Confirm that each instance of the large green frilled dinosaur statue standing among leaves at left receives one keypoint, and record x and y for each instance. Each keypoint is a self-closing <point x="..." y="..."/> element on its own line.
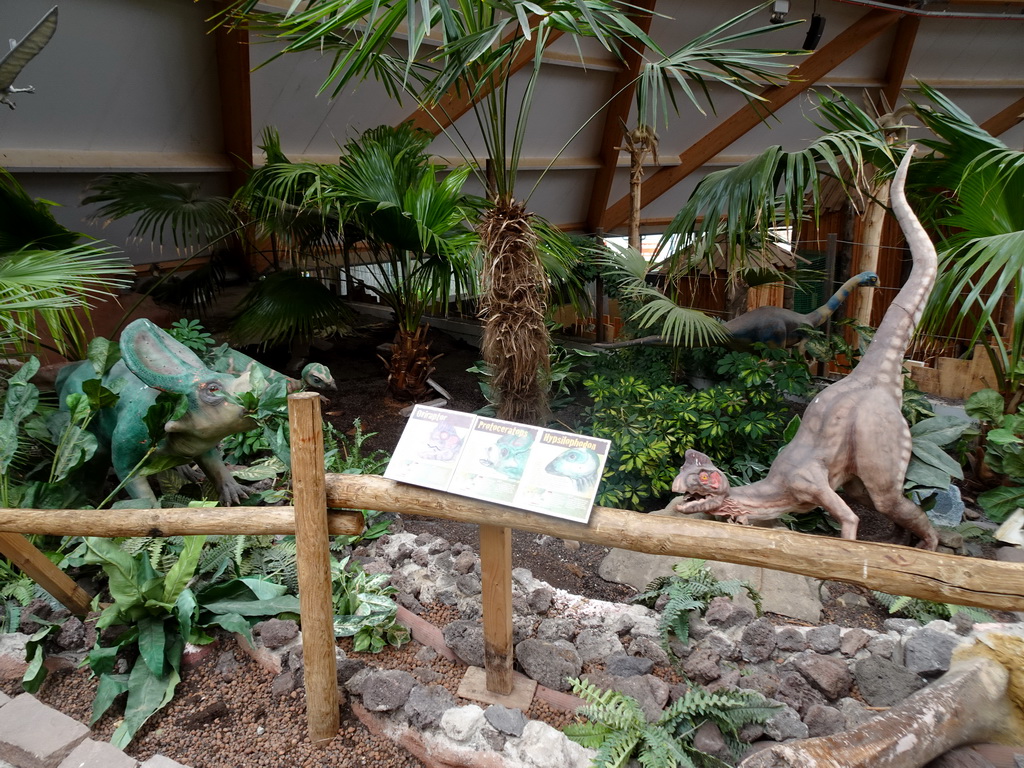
<point x="153" y="362"/>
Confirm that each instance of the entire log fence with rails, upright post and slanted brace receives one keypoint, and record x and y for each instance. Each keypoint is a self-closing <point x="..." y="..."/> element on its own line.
<point x="320" y="511"/>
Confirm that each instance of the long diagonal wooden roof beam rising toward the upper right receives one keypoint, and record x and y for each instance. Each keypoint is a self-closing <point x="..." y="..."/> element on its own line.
<point x="828" y="58"/>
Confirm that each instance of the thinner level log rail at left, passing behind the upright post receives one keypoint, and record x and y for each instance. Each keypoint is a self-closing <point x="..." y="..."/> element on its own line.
<point x="178" y="522"/>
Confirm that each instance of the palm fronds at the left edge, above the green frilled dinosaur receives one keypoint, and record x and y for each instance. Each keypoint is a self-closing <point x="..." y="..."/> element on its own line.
<point x="48" y="278"/>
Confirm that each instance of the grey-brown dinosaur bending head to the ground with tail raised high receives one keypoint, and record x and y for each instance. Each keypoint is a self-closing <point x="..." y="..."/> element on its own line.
<point x="854" y="435"/>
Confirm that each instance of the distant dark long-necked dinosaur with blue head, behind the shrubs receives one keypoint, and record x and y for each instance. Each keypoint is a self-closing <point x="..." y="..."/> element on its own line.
<point x="774" y="326"/>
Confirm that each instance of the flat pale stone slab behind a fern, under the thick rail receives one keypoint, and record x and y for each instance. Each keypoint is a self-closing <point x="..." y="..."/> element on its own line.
<point x="782" y="593"/>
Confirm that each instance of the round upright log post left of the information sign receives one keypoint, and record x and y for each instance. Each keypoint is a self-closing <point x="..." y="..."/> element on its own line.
<point x="312" y="542"/>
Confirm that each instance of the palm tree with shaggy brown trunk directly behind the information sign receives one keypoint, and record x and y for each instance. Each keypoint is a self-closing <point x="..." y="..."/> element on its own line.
<point x="479" y="44"/>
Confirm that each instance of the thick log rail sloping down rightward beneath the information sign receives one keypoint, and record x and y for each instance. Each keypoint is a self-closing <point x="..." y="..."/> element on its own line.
<point x="899" y="571"/>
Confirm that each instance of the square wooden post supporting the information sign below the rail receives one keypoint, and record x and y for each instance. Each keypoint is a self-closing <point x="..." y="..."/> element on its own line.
<point x="496" y="579"/>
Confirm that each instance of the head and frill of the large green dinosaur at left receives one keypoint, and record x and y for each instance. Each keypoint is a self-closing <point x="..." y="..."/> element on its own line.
<point x="165" y="364"/>
